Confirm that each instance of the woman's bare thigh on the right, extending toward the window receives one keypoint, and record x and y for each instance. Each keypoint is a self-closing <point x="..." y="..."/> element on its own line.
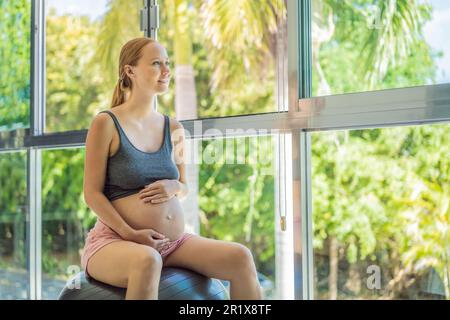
<point x="213" y="258"/>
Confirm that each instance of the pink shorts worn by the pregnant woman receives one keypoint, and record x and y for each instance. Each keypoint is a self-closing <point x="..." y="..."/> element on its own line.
<point x="101" y="235"/>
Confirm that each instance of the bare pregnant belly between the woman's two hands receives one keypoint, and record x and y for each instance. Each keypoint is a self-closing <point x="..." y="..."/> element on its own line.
<point x="166" y="217"/>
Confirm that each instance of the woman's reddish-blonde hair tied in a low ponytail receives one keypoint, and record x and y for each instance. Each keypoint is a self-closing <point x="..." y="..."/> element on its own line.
<point x="130" y="54"/>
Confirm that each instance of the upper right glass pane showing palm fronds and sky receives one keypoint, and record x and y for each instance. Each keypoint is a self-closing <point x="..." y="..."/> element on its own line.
<point x="364" y="45"/>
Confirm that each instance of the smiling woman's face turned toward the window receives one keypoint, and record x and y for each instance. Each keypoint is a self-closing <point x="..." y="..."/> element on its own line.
<point x="152" y="72"/>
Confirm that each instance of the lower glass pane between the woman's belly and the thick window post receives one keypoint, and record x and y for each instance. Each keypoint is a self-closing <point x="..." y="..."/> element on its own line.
<point x="236" y="200"/>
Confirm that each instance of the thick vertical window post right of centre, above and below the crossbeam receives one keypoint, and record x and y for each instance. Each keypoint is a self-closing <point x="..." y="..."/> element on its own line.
<point x="299" y="86"/>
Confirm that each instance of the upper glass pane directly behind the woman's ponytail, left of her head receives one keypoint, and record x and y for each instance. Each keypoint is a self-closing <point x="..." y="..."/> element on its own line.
<point x="83" y="41"/>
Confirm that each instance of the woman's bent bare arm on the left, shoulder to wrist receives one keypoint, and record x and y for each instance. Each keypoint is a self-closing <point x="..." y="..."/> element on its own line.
<point x="98" y="140"/>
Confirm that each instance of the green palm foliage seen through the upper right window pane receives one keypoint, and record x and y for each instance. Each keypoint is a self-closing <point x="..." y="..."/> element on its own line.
<point x="362" y="58"/>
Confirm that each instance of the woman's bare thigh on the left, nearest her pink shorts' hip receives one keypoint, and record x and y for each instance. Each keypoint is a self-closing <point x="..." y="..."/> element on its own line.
<point x="113" y="263"/>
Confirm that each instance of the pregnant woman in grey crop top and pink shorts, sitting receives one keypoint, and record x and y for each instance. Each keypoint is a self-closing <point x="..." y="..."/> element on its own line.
<point x="134" y="178"/>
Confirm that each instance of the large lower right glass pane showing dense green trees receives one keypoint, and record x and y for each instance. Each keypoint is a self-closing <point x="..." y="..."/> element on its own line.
<point x="381" y="213"/>
